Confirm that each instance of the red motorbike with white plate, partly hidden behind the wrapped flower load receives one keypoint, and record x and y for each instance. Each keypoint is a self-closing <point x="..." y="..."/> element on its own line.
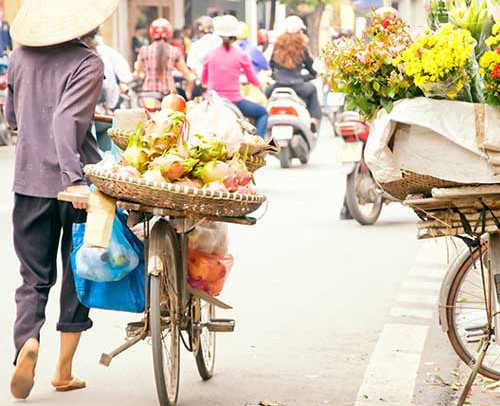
<point x="363" y="198"/>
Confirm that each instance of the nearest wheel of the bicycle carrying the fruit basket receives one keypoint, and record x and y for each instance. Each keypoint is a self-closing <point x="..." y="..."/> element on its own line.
<point x="163" y="262"/>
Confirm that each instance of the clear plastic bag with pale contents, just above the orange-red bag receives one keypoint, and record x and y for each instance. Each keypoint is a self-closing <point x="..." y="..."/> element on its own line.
<point x="210" y="238"/>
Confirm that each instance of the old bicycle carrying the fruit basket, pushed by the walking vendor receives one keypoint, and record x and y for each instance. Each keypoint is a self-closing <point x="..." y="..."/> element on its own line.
<point x="172" y="306"/>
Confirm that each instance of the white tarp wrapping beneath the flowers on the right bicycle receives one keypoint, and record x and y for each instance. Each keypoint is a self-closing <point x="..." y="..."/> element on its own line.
<point x="449" y="140"/>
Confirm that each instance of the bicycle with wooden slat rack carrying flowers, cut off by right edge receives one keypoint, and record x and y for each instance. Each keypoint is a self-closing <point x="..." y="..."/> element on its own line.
<point x="469" y="302"/>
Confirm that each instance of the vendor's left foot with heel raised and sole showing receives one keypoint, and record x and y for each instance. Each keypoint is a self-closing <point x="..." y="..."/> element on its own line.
<point x="23" y="378"/>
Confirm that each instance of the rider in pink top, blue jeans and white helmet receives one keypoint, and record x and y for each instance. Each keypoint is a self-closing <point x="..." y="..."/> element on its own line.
<point x="222" y="67"/>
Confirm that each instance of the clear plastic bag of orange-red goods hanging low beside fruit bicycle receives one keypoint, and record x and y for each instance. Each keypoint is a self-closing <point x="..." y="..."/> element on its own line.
<point x="208" y="272"/>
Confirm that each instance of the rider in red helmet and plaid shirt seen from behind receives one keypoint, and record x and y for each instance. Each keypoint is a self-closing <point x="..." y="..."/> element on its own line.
<point x="158" y="60"/>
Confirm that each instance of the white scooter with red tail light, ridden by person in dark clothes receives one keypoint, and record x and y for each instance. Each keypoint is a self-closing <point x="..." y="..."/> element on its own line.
<point x="290" y="125"/>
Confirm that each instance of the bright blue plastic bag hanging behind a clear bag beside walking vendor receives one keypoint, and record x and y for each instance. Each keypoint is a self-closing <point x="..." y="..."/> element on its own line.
<point x="126" y="294"/>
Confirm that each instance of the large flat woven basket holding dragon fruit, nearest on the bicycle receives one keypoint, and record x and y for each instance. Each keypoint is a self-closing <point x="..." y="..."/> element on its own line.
<point x="181" y="198"/>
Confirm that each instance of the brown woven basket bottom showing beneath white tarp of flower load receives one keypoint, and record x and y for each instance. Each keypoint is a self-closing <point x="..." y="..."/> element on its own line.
<point x="413" y="183"/>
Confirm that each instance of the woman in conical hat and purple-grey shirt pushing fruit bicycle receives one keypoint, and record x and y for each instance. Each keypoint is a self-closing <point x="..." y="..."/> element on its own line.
<point x="54" y="83"/>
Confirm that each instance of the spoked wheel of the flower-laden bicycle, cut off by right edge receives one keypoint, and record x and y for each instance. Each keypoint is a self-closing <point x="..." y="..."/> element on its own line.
<point x="467" y="315"/>
